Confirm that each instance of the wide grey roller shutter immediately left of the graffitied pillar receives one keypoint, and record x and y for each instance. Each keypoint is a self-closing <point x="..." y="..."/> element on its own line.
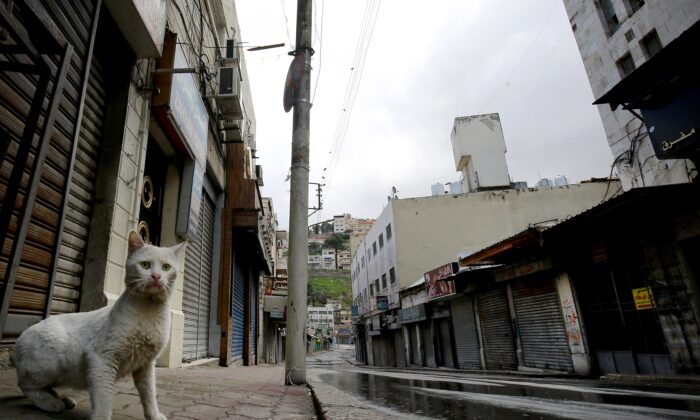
<point x="541" y="326"/>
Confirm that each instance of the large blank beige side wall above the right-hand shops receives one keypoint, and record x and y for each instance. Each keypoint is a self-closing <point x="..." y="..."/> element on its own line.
<point x="432" y="231"/>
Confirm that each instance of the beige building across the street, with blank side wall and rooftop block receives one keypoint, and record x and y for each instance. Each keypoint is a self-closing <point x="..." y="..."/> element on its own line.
<point x="414" y="235"/>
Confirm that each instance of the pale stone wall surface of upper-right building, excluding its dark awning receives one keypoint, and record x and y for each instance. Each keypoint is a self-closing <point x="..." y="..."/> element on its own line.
<point x="600" y="52"/>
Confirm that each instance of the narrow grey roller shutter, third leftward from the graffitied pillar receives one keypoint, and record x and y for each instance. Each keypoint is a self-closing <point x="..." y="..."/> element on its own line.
<point x="466" y="335"/>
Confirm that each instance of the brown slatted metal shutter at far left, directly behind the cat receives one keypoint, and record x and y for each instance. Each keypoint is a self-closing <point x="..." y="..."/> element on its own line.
<point x="49" y="278"/>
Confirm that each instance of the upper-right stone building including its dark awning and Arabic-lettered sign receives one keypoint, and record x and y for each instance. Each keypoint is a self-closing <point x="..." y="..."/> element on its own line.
<point x="618" y="41"/>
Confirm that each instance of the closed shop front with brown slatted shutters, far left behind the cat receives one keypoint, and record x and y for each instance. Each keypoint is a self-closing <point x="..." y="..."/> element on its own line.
<point x="51" y="181"/>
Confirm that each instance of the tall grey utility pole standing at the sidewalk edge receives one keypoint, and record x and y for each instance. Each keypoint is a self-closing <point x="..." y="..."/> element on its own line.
<point x="299" y="83"/>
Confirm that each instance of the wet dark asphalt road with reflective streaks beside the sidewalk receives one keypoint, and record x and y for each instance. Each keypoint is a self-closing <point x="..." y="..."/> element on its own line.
<point x="460" y="395"/>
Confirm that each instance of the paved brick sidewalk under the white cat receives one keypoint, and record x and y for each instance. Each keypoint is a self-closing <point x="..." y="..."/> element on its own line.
<point x="201" y="392"/>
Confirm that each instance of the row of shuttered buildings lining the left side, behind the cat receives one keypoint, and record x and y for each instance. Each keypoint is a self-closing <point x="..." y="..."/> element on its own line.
<point x="147" y="138"/>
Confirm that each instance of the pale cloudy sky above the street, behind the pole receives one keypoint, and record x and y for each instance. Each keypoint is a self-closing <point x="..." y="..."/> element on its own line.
<point x="426" y="63"/>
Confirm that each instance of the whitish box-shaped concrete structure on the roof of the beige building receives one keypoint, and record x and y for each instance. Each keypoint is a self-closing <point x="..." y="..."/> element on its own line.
<point x="479" y="151"/>
